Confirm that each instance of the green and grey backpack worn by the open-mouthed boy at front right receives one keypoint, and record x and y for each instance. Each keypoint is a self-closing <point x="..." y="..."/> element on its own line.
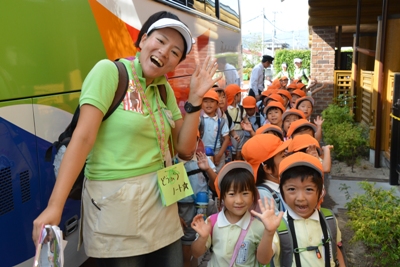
<point x="328" y="224"/>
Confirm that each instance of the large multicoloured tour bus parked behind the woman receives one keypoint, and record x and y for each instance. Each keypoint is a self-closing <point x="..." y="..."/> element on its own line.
<point x="46" y="50"/>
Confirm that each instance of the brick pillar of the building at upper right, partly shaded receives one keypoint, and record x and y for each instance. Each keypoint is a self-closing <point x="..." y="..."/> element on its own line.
<point x="323" y="64"/>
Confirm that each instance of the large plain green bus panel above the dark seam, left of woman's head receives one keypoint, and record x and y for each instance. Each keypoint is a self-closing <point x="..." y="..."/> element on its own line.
<point x="46" y="46"/>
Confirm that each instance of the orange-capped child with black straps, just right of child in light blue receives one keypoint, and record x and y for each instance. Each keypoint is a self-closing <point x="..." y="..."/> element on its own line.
<point x="235" y="114"/>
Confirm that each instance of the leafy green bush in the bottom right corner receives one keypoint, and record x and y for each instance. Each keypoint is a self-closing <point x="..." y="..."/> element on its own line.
<point x="374" y="218"/>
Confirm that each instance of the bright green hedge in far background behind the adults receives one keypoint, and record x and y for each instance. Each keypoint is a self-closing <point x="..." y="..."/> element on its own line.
<point x="288" y="56"/>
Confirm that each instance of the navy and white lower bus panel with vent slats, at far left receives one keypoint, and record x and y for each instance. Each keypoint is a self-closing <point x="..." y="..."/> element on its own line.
<point x="19" y="184"/>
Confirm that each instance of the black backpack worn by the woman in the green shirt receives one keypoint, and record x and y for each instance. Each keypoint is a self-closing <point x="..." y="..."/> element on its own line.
<point x="61" y="144"/>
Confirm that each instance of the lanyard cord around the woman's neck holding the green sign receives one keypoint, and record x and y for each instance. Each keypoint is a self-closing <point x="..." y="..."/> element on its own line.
<point x="160" y="132"/>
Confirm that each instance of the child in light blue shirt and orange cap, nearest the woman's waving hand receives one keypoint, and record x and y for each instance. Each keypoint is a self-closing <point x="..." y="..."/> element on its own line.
<point x="214" y="130"/>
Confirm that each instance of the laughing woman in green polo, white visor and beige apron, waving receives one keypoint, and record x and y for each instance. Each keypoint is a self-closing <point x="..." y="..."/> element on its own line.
<point x="123" y="220"/>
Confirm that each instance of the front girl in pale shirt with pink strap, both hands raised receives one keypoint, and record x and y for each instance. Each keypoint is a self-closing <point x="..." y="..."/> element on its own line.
<point x="237" y="239"/>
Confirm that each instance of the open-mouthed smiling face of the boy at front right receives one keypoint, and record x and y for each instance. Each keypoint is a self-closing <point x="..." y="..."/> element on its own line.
<point x="301" y="196"/>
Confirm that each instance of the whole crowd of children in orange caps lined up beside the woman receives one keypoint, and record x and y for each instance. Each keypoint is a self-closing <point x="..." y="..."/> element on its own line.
<point x="274" y="182"/>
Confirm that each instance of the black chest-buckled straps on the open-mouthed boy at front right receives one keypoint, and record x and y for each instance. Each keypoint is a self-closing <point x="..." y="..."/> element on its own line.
<point x="325" y="242"/>
